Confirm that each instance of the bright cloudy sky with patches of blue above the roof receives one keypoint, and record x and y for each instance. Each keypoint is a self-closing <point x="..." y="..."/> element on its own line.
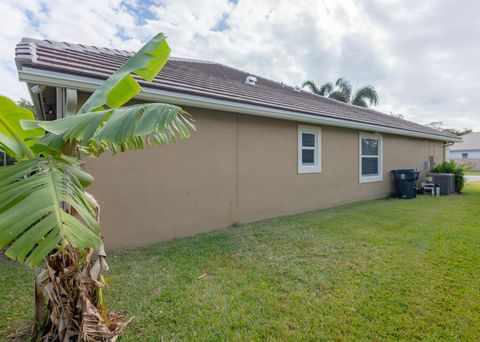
<point x="421" y="56"/>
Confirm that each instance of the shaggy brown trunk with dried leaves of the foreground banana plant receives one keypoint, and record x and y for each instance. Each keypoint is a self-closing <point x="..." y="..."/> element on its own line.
<point x="69" y="298"/>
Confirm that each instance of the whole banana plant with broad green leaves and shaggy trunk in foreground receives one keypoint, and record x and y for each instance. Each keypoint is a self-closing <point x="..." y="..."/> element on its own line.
<point x="46" y="216"/>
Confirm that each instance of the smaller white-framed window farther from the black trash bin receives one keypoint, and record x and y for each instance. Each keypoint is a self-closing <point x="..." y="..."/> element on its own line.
<point x="309" y="149"/>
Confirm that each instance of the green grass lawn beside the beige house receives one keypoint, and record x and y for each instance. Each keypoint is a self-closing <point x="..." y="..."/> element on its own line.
<point x="377" y="270"/>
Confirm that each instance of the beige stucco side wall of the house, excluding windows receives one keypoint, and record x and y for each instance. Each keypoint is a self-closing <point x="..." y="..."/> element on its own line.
<point x="235" y="168"/>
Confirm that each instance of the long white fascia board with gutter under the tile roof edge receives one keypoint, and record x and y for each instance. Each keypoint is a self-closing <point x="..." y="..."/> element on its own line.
<point x="57" y="79"/>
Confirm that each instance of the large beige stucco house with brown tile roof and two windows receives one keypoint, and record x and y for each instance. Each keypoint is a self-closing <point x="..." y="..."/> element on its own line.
<point x="261" y="149"/>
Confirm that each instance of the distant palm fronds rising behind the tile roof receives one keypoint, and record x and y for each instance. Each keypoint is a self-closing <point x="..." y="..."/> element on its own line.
<point x="343" y="92"/>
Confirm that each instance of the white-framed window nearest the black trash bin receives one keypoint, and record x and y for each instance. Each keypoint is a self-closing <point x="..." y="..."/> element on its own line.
<point x="371" y="165"/>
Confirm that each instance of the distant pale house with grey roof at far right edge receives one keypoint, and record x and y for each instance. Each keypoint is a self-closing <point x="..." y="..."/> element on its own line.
<point x="467" y="151"/>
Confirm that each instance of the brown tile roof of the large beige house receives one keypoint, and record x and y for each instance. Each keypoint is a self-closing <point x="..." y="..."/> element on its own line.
<point x="203" y="78"/>
